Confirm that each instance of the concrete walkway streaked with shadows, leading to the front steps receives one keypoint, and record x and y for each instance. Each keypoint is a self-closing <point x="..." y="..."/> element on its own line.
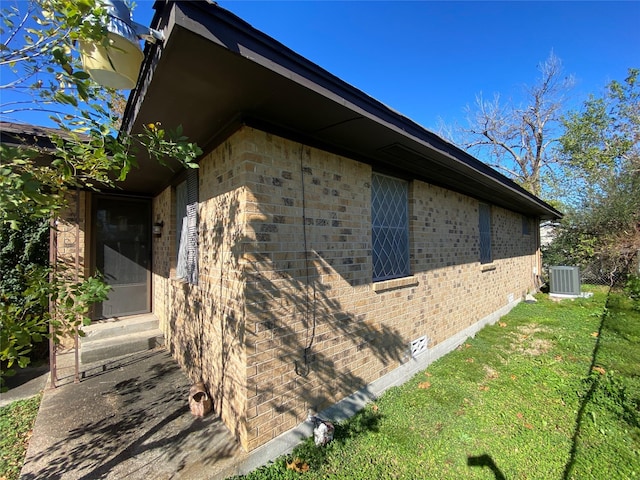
<point x="126" y="419"/>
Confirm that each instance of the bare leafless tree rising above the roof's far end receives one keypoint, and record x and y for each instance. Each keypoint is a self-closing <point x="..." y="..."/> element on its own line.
<point x="518" y="140"/>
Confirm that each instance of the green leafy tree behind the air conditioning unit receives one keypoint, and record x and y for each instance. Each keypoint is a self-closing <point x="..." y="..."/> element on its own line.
<point x="600" y="155"/>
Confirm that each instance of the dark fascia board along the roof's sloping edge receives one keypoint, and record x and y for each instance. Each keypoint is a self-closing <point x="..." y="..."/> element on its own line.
<point x="224" y="28"/>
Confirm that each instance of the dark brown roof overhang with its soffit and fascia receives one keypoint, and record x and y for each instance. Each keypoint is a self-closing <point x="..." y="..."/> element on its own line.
<point x="215" y="72"/>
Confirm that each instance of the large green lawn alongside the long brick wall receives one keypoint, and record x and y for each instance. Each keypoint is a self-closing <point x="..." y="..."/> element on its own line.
<point x="552" y="391"/>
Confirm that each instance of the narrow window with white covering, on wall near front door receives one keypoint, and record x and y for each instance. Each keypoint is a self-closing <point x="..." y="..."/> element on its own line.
<point x="187" y="228"/>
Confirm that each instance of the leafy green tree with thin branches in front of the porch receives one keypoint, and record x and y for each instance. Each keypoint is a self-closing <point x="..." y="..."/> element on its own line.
<point x="42" y="73"/>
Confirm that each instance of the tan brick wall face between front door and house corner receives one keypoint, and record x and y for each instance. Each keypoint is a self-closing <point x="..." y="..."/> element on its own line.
<point x="203" y="323"/>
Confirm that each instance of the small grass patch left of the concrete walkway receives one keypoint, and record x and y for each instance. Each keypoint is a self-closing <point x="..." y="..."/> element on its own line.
<point x="16" y="425"/>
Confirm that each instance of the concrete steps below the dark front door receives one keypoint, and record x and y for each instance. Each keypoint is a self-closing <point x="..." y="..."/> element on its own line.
<point x="112" y="338"/>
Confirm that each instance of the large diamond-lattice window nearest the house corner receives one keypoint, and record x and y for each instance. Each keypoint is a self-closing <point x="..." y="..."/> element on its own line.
<point x="390" y="227"/>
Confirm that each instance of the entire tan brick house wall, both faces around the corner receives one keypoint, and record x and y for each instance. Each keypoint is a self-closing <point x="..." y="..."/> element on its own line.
<point x="285" y="310"/>
